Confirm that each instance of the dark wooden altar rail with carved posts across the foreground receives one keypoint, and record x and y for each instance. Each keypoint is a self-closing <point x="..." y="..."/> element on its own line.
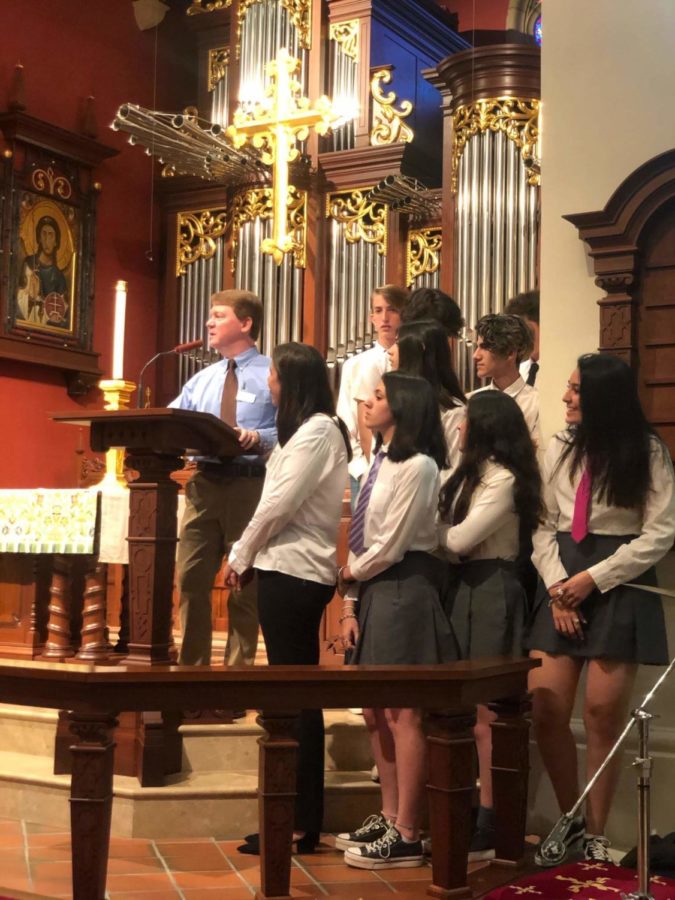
<point x="95" y="695"/>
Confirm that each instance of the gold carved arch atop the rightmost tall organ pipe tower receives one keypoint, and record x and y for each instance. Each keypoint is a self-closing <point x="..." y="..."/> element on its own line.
<point x="516" y="117"/>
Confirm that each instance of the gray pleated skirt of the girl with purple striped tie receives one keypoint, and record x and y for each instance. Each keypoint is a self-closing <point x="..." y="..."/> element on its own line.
<point x="401" y="620"/>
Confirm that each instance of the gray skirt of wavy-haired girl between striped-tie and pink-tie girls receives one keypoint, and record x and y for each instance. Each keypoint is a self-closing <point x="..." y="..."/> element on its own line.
<point x="486" y="603"/>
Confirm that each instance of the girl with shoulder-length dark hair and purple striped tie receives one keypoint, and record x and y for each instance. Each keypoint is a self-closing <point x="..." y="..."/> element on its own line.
<point x="400" y="618"/>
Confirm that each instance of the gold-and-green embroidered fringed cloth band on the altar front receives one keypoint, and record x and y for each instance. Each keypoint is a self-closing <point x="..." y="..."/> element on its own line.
<point x="48" y="521"/>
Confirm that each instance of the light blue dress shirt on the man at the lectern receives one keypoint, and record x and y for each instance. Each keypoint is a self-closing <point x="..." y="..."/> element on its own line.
<point x="255" y="412"/>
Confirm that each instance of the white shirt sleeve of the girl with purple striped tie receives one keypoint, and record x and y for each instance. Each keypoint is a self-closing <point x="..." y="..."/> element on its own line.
<point x="413" y="501"/>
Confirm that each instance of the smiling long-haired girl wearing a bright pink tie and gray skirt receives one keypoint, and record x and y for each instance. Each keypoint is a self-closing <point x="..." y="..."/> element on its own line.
<point x="608" y="488"/>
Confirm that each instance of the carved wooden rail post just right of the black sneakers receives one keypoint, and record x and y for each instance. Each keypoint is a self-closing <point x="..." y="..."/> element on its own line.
<point x="450" y="744"/>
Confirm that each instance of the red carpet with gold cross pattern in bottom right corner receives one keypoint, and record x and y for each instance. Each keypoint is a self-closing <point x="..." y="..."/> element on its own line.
<point x="583" y="881"/>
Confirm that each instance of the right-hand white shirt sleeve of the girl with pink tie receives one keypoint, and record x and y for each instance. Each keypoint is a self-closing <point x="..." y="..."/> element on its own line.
<point x="656" y="536"/>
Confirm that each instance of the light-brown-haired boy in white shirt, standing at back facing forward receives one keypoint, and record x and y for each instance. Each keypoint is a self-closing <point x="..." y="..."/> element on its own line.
<point x="361" y="374"/>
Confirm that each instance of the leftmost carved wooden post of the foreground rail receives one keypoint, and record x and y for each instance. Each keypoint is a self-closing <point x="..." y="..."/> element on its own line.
<point x="91" y="802"/>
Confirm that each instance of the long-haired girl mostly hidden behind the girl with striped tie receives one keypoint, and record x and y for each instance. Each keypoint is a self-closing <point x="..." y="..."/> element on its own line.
<point x="422" y="349"/>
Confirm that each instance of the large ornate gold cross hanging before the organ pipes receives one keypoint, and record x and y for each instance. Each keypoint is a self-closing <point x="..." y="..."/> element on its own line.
<point x="273" y="127"/>
